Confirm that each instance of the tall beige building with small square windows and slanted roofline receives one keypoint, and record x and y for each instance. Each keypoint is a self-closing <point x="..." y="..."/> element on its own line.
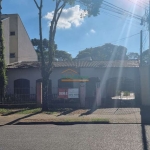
<point x="18" y="46"/>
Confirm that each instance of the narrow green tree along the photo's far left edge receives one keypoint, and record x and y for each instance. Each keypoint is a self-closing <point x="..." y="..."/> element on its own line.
<point x="3" y="78"/>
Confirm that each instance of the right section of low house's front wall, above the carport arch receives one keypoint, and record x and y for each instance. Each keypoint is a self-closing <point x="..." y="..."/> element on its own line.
<point x="106" y="73"/>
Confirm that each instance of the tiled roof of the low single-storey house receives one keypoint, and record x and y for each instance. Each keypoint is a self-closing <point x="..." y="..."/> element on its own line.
<point x="78" y="64"/>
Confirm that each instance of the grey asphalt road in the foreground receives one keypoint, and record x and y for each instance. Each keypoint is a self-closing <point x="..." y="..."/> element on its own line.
<point x="75" y="137"/>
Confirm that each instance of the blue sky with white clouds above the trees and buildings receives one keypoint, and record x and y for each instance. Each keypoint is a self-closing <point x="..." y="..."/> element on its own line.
<point x="74" y="33"/>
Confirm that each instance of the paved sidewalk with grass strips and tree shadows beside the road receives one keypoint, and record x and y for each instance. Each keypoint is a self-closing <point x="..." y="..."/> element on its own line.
<point x="109" y="115"/>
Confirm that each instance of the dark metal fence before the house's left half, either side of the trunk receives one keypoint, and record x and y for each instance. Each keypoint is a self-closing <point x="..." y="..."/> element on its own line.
<point x="22" y="96"/>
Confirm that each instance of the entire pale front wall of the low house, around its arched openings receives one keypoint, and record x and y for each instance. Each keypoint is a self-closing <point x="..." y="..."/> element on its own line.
<point x="34" y="74"/>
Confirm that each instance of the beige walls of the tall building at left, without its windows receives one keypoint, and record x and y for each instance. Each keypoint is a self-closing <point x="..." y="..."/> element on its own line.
<point x="19" y="43"/>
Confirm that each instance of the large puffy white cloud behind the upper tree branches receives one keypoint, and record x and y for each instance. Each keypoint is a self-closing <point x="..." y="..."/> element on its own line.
<point x="73" y="16"/>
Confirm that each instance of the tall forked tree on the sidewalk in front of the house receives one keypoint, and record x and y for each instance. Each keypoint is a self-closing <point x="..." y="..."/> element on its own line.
<point x="91" y="6"/>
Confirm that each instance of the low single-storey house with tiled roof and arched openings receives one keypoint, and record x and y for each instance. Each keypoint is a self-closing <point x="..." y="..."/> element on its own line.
<point x="109" y="76"/>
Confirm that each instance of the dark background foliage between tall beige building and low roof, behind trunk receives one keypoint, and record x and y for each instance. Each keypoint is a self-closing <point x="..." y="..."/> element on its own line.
<point x="58" y="53"/>
